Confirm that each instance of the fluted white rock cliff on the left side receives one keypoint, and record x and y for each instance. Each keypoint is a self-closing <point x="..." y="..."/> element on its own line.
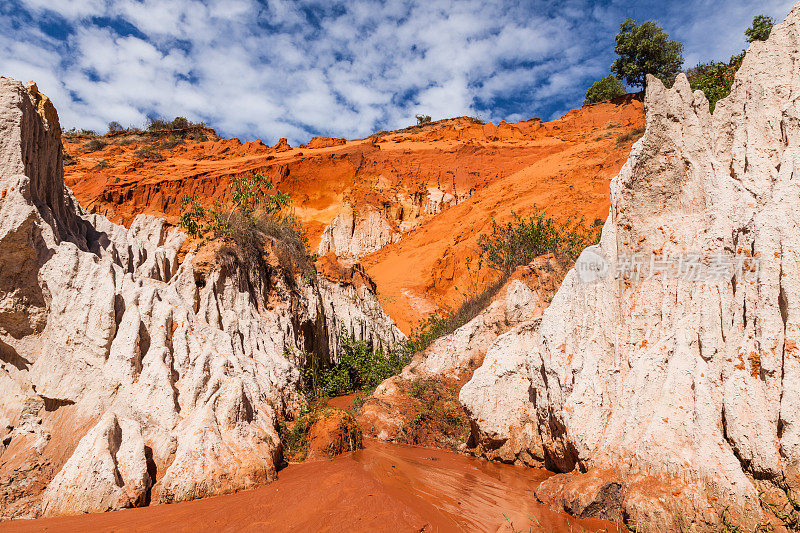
<point x="127" y="376"/>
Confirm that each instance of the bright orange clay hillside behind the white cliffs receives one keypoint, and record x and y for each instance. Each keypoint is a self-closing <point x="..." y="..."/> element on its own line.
<point x="420" y="196"/>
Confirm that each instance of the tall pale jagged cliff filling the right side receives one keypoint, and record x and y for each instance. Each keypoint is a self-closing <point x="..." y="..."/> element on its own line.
<point x="683" y="393"/>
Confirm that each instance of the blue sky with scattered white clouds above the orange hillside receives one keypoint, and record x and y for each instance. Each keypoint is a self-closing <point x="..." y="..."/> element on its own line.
<point x="276" y="68"/>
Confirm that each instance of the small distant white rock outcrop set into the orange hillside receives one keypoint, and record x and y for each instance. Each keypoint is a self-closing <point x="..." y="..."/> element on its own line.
<point x="356" y="234"/>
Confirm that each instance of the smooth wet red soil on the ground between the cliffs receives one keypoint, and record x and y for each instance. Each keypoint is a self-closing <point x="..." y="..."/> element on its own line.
<point x="383" y="487"/>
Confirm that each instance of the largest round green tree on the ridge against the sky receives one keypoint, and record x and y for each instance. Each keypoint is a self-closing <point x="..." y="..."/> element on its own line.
<point x="645" y="49"/>
